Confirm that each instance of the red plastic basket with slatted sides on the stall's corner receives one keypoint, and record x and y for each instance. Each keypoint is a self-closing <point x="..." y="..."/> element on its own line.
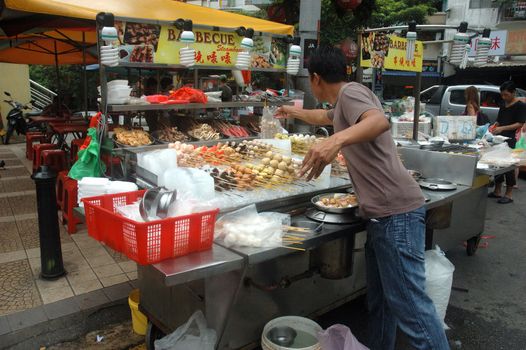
<point x="147" y="242"/>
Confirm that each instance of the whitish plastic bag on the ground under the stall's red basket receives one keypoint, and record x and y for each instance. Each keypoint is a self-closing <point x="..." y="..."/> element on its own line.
<point x="193" y="335"/>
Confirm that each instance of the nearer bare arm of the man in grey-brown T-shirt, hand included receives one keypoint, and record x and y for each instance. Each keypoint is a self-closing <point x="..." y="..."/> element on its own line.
<point x="371" y="124"/>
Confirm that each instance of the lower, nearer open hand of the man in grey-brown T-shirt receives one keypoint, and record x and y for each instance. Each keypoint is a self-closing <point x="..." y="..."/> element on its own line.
<point x="319" y="156"/>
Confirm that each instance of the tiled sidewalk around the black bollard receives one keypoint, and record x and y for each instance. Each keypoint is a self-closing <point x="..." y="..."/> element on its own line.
<point x="96" y="275"/>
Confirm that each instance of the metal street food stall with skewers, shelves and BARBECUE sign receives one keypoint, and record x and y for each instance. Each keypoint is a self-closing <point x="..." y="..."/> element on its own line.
<point x="281" y="246"/>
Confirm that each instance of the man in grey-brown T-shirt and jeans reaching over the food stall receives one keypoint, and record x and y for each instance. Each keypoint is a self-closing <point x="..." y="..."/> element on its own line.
<point x="388" y="196"/>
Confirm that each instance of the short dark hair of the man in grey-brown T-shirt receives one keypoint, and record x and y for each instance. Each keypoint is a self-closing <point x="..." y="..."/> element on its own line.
<point x="329" y="63"/>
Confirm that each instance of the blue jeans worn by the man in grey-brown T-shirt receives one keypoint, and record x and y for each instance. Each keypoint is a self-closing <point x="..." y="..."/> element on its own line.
<point x="396" y="284"/>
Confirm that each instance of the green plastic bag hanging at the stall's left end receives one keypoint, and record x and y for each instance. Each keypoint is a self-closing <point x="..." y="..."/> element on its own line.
<point x="88" y="163"/>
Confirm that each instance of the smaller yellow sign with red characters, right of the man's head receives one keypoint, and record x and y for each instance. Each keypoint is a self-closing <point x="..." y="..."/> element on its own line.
<point x="389" y="51"/>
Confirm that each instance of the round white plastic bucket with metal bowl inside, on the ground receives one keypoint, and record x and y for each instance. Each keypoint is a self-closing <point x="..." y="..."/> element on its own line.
<point x="301" y="325"/>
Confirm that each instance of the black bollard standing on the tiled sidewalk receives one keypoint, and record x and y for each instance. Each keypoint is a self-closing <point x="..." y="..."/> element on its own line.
<point x="50" y="248"/>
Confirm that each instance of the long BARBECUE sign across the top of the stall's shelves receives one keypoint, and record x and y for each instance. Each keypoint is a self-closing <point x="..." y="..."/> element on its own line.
<point x="160" y="44"/>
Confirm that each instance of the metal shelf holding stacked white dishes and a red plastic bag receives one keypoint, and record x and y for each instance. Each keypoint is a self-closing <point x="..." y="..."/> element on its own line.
<point x="186" y="106"/>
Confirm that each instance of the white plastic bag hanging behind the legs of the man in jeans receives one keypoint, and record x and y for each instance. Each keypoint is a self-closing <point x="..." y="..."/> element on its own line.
<point x="439" y="280"/>
